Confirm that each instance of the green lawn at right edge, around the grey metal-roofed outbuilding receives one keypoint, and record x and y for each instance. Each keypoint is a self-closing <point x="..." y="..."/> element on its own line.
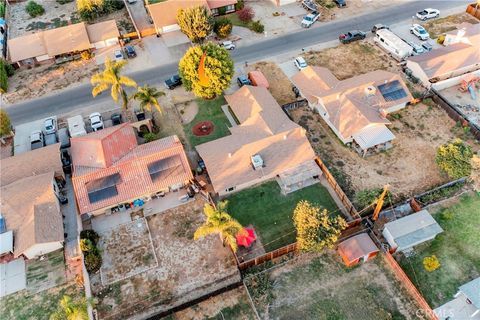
<point x="457" y="250"/>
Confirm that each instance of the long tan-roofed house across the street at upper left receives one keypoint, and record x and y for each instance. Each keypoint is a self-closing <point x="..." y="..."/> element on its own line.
<point x="46" y="46"/>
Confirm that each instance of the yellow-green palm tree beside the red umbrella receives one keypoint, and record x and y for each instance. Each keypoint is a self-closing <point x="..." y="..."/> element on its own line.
<point x="219" y="221"/>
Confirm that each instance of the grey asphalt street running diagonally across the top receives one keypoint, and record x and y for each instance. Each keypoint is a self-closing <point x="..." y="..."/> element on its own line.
<point x="80" y="96"/>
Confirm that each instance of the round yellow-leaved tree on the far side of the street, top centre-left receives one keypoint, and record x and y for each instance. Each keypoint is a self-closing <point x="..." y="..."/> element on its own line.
<point x="196" y="23"/>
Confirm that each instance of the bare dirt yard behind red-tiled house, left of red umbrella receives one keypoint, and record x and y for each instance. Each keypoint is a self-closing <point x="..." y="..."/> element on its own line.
<point x="186" y="270"/>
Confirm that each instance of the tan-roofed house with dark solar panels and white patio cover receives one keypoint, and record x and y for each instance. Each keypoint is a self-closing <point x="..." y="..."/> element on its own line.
<point x="355" y="108"/>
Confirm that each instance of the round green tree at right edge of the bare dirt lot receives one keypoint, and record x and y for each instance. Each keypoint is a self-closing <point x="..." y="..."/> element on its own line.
<point x="454" y="159"/>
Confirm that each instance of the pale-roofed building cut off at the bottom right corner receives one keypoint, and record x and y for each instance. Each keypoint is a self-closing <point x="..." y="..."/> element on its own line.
<point x="466" y="304"/>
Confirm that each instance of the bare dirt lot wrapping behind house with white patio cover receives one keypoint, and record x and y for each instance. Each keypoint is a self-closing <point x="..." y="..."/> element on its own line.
<point x="409" y="167"/>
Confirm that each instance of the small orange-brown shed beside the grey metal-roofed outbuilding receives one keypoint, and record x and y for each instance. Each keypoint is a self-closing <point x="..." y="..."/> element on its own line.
<point x="356" y="249"/>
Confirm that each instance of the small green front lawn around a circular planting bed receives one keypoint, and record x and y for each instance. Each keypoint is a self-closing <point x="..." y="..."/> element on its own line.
<point x="208" y="110"/>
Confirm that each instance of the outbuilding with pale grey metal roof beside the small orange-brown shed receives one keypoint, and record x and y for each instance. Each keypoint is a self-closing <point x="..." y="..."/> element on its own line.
<point x="405" y="233"/>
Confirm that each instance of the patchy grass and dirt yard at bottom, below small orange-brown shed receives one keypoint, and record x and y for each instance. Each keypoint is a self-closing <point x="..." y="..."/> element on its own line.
<point x="319" y="286"/>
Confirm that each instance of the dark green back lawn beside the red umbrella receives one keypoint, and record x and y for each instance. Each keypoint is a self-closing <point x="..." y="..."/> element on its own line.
<point x="271" y="213"/>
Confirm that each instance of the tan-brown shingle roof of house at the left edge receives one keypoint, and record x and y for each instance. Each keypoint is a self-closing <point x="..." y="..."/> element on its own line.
<point x="31" y="210"/>
